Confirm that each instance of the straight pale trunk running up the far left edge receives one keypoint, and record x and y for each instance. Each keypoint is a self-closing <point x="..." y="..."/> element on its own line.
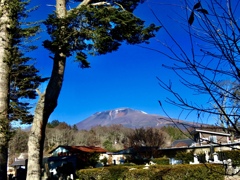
<point x="4" y="89"/>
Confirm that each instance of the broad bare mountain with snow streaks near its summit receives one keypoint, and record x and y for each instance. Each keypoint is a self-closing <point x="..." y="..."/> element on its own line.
<point x="128" y="118"/>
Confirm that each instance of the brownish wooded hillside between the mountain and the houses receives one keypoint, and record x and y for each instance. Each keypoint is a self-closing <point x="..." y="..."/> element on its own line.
<point x="112" y="138"/>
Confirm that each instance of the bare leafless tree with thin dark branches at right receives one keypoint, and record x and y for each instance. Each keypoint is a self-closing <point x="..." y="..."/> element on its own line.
<point x="206" y="63"/>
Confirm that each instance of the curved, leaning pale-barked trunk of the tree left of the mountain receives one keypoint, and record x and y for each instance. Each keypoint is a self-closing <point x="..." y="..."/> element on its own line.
<point x="45" y="106"/>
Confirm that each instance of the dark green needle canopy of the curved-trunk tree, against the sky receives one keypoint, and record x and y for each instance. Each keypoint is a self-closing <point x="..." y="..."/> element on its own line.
<point x="96" y="30"/>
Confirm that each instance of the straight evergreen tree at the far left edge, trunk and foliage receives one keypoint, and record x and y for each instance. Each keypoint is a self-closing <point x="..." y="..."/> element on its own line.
<point x="19" y="79"/>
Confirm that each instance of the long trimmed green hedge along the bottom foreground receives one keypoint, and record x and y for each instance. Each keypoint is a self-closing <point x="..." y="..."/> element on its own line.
<point x="155" y="172"/>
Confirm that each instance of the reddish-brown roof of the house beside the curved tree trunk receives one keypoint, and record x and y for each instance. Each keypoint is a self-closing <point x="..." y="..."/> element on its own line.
<point x="78" y="149"/>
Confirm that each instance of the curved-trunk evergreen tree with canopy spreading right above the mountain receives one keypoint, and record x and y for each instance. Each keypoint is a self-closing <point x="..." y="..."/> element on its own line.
<point x="93" y="26"/>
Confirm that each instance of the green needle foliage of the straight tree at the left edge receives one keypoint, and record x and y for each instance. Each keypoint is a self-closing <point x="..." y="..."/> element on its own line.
<point x="23" y="76"/>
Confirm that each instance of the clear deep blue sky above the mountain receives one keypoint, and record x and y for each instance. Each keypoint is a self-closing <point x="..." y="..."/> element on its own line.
<point x="126" y="78"/>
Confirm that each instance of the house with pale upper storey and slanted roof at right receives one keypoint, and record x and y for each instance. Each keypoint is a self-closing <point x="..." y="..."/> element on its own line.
<point x="204" y="140"/>
